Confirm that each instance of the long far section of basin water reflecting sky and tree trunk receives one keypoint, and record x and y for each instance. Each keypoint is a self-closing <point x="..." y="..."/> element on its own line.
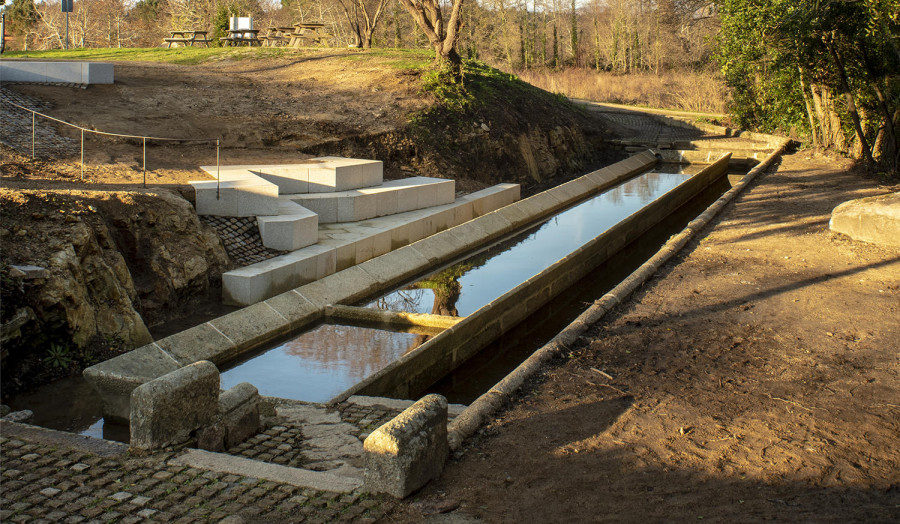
<point x="464" y="288"/>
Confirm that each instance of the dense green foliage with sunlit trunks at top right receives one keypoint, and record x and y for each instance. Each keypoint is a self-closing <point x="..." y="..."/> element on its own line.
<point x="826" y="69"/>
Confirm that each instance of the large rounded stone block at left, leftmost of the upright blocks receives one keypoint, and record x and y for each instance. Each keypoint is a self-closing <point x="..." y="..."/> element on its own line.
<point x="167" y="410"/>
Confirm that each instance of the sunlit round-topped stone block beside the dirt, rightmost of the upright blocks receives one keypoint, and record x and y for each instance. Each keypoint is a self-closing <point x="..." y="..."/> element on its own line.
<point x="410" y="450"/>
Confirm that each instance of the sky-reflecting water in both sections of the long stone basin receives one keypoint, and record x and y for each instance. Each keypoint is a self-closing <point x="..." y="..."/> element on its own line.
<point x="326" y="360"/>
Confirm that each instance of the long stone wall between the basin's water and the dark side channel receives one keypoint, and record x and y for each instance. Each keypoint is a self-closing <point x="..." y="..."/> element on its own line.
<point x="423" y="366"/>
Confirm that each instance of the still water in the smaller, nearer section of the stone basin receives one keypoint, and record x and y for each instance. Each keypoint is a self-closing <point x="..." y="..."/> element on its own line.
<point x="319" y="364"/>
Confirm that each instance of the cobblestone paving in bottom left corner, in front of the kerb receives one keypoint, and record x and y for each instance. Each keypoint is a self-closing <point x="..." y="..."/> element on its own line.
<point x="44" y="482"/>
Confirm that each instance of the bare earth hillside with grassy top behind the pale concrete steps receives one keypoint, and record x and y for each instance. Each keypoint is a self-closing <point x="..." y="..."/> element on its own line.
<point x="274" y="107"/>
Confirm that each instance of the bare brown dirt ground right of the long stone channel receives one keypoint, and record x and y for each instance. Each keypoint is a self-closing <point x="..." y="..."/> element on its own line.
<point x="756" y="377"/>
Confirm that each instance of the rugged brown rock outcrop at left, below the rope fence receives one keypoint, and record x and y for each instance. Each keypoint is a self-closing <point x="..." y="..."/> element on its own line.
<point x="116" y="262"/>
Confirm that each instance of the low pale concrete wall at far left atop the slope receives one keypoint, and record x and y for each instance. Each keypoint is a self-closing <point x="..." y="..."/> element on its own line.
<point x="56" y="72"/>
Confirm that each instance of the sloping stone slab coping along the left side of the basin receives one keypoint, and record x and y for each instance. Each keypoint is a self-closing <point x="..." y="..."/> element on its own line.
<point x="233" y="334"/>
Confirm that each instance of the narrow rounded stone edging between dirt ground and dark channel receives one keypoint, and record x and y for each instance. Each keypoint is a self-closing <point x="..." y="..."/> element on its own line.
<point x="474" y="416"/>
